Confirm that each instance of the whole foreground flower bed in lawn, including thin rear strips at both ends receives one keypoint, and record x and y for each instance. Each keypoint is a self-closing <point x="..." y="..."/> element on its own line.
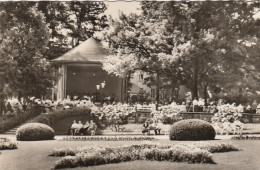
<point x="91" y="156"/>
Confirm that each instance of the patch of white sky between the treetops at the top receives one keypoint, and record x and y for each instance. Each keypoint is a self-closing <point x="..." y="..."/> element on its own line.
<point x="113" y="8"/>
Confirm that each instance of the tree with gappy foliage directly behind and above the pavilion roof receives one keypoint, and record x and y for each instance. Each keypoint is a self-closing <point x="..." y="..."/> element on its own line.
<point x="71" y="23"/>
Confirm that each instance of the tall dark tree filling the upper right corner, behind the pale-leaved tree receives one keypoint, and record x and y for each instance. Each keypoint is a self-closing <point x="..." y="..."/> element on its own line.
<point x="211" y="37"/>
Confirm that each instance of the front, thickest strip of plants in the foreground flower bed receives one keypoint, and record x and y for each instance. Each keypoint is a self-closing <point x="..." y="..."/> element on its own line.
<point x="99" y="156"/>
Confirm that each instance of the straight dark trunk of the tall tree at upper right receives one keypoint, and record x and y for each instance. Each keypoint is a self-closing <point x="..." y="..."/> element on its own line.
<point x="195" y="78"/>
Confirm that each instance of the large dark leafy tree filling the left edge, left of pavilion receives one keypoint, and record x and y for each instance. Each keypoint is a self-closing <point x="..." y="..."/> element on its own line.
<point x="24" y="37"/>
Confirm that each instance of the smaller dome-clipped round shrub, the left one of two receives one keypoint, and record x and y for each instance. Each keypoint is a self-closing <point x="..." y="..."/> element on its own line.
<point x="34" y="131"/>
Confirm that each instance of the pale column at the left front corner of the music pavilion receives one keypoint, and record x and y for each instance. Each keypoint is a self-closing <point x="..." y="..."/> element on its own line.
<point x="62" y="82"/>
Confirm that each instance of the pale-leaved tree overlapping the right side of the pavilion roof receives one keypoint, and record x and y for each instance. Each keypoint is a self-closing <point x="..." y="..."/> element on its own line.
<point x="134" y="47"/>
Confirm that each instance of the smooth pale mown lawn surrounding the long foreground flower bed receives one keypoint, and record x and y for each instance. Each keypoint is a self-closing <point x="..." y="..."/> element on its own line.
<point x="34" y="155"/>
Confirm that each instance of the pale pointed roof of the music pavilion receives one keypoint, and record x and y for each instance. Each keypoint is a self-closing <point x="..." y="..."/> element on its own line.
<point x="90" y="51"/>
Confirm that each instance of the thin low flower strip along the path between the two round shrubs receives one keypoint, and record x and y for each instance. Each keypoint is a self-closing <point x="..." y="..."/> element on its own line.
<point x="100" y="138"/>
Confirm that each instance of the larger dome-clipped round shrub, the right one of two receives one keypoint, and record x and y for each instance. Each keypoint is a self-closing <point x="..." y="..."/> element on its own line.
<point x="192" y="129"/>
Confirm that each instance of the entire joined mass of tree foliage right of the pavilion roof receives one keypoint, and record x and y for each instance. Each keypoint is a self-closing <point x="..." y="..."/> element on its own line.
<point x="195" y="43"/>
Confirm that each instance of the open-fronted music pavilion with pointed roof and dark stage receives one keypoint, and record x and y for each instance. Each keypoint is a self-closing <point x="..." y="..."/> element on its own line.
<point x="82" y="74"/>
